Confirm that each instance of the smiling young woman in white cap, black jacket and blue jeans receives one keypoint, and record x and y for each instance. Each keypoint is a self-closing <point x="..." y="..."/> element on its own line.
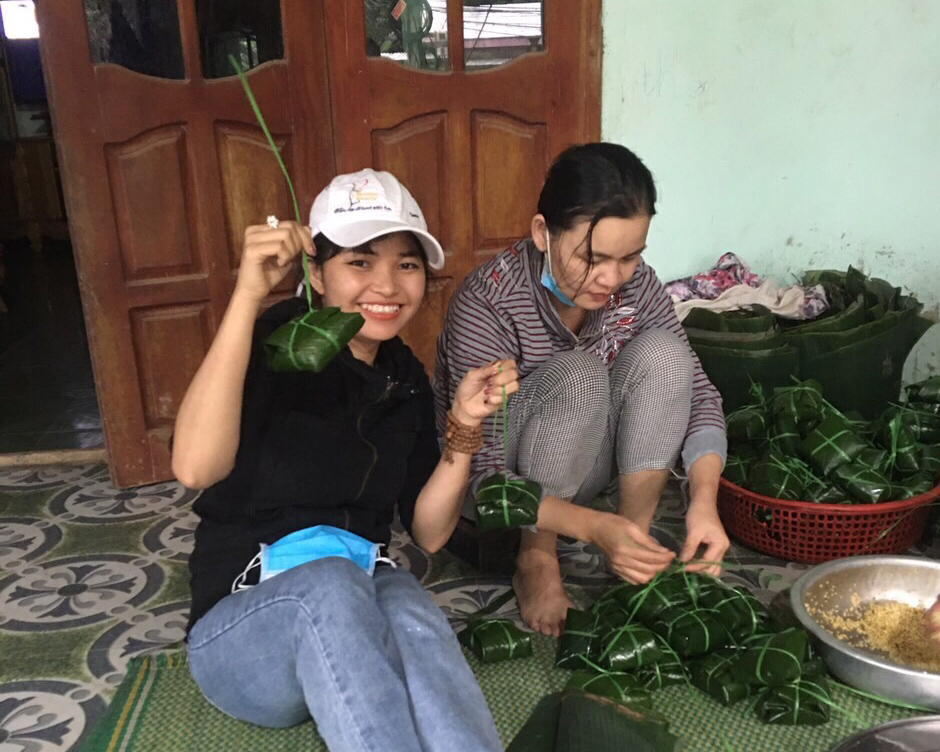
<point x="301" y="465"/>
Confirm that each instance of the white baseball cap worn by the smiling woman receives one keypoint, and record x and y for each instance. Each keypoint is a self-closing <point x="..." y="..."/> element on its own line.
<point x="354" y="209"/>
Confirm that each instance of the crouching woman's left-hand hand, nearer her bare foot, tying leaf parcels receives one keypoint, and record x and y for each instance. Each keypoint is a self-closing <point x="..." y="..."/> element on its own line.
<point x="631" y="554"/>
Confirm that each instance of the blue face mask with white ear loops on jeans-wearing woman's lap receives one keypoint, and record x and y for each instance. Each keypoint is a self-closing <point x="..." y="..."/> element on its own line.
<point x="310" y="544"/>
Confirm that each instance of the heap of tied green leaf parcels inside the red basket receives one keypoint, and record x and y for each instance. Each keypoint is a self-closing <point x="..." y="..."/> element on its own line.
<point x="795" y="445"/>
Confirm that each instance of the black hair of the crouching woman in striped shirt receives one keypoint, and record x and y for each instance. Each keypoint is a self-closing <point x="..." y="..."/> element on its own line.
<point x="594" y="181"/>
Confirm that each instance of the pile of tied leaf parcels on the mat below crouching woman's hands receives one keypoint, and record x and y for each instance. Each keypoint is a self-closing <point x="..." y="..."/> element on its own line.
<point x="691" y="629"/>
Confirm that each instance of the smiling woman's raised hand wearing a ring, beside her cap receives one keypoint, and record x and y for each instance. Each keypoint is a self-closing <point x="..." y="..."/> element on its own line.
<point x="267" y="256"/>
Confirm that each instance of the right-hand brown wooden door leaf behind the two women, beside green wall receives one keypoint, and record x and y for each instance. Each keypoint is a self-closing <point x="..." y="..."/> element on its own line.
<point x="472" y="142"/>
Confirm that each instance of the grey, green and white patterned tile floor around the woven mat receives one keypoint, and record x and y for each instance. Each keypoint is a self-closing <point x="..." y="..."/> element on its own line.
<point x="91" y="576"/>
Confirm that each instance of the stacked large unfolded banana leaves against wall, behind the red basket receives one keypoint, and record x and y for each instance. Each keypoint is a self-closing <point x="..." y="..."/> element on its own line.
<point x="869" y="328"/>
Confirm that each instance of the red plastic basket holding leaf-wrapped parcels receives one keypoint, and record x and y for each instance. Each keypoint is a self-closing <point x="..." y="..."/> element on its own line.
<point x="809" y="532"/>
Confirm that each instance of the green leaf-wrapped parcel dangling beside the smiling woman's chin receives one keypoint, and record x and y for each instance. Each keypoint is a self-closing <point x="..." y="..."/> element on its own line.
<point x="309" y="342"/>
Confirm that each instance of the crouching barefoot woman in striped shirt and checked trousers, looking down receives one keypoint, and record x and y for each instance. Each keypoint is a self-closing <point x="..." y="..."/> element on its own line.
<point x="609" y="388"/>
